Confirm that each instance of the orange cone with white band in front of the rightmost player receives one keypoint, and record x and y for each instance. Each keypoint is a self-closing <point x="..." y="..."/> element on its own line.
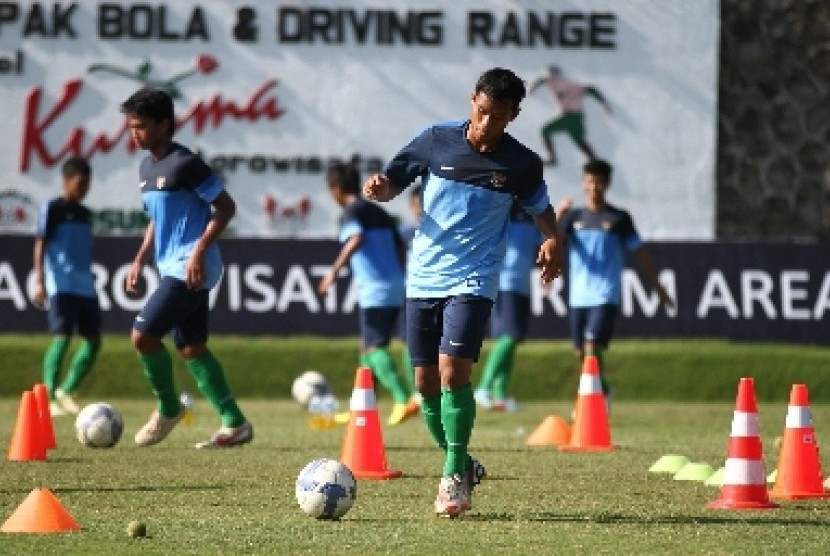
<point x="590" y="431"/>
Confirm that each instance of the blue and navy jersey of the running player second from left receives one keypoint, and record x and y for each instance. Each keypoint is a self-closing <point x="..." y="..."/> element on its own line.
<point x="177" y="192"/>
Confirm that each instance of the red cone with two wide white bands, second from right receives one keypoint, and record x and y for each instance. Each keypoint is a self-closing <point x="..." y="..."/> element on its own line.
<point x="744" y="484"/>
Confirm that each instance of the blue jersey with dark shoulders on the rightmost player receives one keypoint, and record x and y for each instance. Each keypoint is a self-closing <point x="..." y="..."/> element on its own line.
<point x="597" y="245"/>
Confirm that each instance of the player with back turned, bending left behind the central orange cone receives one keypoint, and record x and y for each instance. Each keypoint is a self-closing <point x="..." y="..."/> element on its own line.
<point x="375" y="252"/>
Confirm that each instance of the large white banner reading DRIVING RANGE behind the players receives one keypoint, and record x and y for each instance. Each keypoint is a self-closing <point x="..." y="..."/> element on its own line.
<point x="271" y="92"/>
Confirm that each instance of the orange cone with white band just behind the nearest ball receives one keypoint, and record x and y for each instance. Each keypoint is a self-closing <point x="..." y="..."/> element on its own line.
<point x="363" y="451"/>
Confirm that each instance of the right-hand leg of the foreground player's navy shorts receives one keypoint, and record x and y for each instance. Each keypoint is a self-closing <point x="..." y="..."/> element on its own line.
<point x="464" y="327"/>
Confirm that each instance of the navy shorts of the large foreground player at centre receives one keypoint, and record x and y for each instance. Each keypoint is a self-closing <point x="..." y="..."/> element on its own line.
<point x="453" y="325"/>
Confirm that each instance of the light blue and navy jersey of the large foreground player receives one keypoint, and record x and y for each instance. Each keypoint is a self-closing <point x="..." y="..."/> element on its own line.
<point x="466" y="197"/>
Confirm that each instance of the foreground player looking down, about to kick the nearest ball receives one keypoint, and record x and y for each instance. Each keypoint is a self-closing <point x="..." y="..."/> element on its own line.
<point x="471" y="171"/>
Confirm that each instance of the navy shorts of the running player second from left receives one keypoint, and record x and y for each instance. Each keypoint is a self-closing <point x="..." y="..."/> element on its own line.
<point x="174" y="307"/>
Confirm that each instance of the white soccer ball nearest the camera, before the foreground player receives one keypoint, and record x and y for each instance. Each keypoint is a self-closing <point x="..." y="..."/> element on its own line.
<point x="326" y="489"/>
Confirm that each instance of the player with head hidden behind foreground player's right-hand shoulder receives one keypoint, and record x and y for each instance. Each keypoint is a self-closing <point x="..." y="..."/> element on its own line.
<point x="511" y="312"/>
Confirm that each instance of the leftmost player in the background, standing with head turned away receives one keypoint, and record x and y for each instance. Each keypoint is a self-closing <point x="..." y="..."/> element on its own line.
<point x="63" y="273"/>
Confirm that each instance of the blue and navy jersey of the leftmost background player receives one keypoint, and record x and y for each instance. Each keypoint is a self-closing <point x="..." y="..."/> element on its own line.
<point x="66" y="230"/>
